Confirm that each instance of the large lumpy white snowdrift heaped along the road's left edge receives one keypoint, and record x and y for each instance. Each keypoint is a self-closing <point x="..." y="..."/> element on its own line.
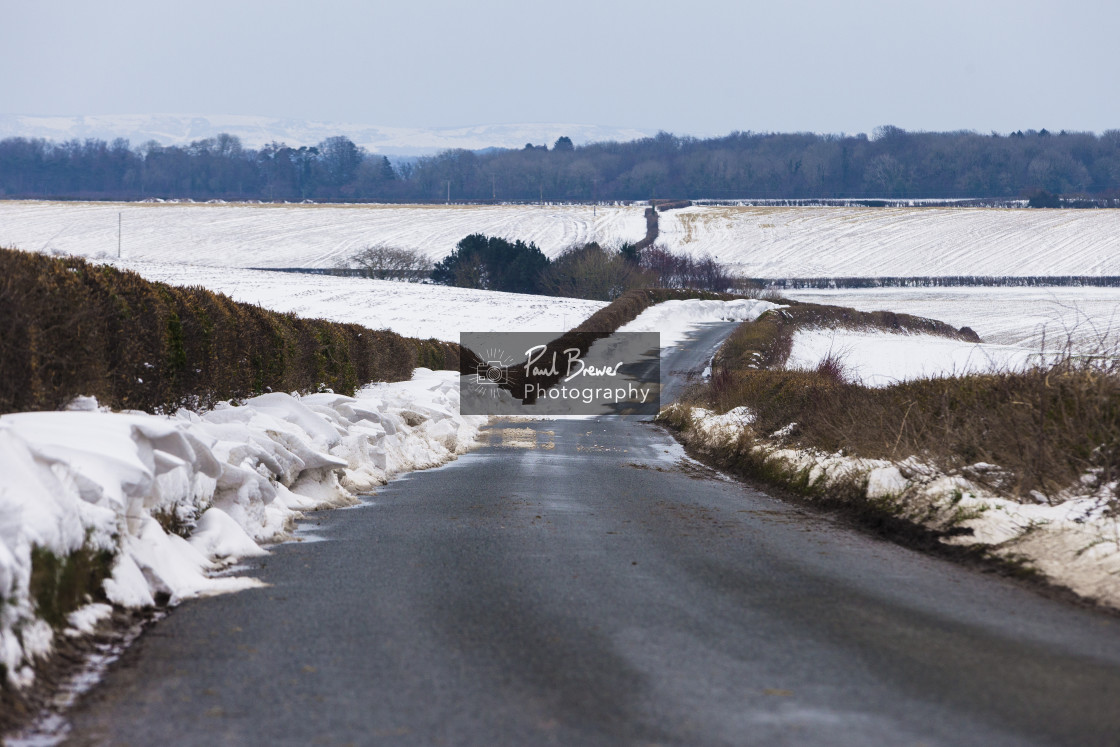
<point x="173" y="499"/>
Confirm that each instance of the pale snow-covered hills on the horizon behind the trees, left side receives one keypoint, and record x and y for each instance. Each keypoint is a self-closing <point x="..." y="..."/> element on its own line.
<point x="257" y="132"/>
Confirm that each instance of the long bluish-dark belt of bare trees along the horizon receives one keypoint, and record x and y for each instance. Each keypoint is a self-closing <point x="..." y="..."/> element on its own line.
<point x="891" y="165"/>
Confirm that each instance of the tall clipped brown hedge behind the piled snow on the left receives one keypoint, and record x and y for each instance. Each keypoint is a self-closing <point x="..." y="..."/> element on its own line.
<point x="69" y="328"/>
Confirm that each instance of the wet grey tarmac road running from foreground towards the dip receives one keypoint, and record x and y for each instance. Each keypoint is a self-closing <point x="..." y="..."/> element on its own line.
<point x="583" y="583"/>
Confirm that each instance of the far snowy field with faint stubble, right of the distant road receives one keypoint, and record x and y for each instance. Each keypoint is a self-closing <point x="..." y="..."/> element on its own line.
<point x="800" y="242"/>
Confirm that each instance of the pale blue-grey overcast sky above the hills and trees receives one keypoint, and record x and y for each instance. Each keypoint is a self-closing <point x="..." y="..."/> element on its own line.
<point x="687" y="67"/>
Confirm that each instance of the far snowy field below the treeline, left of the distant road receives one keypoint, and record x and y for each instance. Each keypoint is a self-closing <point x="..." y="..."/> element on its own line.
<point x="297" y="236"/>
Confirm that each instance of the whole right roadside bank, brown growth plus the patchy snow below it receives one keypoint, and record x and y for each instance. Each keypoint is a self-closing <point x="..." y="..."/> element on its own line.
<point x="1022" y="468"/>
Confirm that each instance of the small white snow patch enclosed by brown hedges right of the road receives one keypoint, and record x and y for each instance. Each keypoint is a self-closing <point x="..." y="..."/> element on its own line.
<point x="881" y="359"/>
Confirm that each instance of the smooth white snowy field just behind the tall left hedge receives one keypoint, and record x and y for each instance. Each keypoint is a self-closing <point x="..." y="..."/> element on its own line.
<point x="410" y="310"/>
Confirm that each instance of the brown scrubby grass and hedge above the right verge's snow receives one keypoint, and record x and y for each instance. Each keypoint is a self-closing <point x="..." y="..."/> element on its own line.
<point x="1044" y="431"/>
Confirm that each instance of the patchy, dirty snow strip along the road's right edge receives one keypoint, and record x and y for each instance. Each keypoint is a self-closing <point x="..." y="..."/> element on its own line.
<point x="1072" y="539"/>
